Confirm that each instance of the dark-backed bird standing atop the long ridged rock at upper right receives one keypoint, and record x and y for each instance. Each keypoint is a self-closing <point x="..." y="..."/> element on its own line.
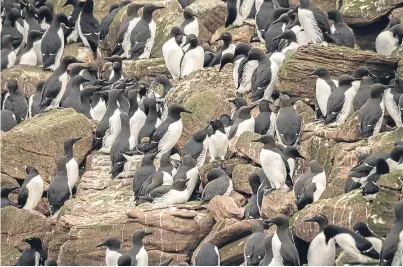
<point x="341" y="33"/>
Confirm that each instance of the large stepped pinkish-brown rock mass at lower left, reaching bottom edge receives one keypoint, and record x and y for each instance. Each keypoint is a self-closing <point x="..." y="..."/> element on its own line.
<point x="105" y="207"/>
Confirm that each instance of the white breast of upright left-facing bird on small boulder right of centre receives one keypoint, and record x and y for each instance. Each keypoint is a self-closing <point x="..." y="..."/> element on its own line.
<point x="274" y="168"/>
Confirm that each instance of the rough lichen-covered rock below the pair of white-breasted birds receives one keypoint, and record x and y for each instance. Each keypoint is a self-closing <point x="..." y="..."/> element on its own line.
<point x="205" y="93"/>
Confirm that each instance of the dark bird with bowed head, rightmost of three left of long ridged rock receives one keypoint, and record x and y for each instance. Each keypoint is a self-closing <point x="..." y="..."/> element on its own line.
<point x="262" y="75"/>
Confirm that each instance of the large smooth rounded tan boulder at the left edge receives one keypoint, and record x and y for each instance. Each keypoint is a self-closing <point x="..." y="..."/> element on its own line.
<point x="39" y="142"/>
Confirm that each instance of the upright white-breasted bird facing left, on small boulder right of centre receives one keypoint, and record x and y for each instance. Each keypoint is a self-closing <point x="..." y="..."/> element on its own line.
<point x="274" y="164"/>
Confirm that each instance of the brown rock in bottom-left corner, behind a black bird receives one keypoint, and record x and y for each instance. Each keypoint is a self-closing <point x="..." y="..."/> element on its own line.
<point x="18" y="224"/>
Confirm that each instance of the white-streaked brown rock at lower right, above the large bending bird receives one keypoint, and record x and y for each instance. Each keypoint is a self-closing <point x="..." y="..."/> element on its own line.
<point x="346" y="210"/>
